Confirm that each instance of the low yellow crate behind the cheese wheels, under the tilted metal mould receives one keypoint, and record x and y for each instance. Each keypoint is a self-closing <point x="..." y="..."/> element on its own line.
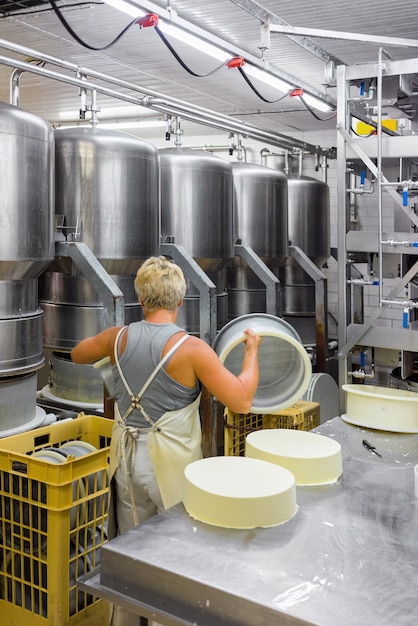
<point x="300" y="416"/>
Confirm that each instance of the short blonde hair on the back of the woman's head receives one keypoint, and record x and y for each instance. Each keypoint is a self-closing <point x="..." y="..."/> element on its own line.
<point x="160" y="284"/>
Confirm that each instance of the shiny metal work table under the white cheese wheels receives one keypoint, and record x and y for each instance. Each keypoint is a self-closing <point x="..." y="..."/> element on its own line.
<point x="348" y="557"/>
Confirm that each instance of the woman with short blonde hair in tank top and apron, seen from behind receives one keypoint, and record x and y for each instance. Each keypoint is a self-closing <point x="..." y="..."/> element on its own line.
<point x="159" y="371"/>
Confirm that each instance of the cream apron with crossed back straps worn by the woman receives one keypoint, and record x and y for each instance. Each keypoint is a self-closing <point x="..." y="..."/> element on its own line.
<point x="174" y="441"/>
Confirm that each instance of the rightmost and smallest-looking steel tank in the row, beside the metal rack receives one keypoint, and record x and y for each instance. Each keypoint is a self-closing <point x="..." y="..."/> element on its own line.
<point x="309" y="229"/>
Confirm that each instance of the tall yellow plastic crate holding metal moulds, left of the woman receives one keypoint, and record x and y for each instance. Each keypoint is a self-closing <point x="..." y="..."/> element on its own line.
<point x="53" y="522"/>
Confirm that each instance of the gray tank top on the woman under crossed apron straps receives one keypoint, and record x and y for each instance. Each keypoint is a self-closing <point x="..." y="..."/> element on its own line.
<point x="142" y="354"/>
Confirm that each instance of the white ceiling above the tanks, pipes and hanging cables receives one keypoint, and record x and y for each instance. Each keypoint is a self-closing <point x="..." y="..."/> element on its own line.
<point x="141" y="58"/>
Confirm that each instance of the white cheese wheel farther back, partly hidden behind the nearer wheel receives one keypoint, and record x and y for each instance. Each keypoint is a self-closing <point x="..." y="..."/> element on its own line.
<point x="313" y="459"/>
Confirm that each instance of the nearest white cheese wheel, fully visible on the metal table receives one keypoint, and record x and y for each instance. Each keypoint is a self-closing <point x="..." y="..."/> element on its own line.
<point x="236" y="492"/>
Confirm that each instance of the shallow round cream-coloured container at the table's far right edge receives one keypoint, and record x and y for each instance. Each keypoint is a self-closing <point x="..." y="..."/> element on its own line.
<point x="381" y="408"/>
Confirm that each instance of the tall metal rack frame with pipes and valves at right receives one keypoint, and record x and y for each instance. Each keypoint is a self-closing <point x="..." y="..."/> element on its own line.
<point x="371" y="152"/>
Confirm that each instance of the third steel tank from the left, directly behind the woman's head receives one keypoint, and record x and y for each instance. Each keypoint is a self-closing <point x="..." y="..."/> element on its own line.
<point x="196" y="209"/>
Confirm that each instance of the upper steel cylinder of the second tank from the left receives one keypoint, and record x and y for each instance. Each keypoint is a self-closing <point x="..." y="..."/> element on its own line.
<point x="107" y="190"/>
